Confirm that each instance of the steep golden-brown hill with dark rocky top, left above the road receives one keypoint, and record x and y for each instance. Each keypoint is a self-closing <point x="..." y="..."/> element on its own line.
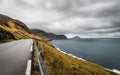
<point x="14" y="29"/>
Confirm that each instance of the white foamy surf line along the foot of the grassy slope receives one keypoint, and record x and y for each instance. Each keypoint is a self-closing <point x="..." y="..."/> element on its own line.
<point x="69" y="54"/>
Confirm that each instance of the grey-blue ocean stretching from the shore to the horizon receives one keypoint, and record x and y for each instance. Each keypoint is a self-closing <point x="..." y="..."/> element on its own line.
<point x="105" y="52"/>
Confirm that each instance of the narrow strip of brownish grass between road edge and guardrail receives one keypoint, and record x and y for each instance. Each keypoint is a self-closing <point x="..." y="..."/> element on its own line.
<point x="35" y="65"/>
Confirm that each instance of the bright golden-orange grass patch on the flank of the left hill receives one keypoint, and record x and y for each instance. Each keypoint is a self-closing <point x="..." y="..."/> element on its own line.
<point x="17" y="31"/>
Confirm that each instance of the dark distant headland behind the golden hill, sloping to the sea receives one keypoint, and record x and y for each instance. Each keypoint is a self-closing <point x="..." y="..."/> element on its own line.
<point x="49" y="35"/>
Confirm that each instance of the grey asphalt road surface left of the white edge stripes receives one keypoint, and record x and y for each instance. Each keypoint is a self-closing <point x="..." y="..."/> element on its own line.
<point x="14" y="57"/>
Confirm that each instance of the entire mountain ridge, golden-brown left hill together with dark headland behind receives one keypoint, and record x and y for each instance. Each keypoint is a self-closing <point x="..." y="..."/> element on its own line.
<point x="14" y="29"/>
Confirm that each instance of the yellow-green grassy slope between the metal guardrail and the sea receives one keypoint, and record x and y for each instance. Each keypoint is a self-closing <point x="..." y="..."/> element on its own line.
<point x="58" y="63"/>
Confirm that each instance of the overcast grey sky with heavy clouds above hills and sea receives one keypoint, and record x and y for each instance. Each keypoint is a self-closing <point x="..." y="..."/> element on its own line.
<point x="85" y="18"/>
